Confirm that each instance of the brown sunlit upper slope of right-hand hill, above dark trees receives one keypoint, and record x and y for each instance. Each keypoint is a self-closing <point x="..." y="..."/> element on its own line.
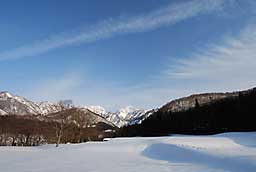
<point x="186" y="103"/>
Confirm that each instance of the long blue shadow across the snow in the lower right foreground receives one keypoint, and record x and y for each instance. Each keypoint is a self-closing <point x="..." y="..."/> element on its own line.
<point x="172" y="153"/>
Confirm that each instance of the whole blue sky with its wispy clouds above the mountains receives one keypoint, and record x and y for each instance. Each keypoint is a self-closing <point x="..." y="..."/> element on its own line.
<point x="117" y="53"/>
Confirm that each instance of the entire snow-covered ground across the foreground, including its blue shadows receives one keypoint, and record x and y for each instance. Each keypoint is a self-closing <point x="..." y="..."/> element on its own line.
<point x="234" y="152"/>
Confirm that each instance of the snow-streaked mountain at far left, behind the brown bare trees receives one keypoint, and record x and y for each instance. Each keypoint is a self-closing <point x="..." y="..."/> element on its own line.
<point x="11" y="104"/>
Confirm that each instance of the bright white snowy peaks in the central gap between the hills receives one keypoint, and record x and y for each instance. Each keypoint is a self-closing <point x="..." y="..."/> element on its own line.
<point x="125" y="116"/>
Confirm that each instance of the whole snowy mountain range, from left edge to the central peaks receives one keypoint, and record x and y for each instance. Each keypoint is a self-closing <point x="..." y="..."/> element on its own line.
<point x="12" y="104"/>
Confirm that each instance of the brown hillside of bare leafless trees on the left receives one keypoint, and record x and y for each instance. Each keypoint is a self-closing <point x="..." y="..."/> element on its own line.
<point x="68" y="126"/>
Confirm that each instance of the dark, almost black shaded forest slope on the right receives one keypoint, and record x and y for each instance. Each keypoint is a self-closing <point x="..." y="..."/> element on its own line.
<point x="232" y="113"/>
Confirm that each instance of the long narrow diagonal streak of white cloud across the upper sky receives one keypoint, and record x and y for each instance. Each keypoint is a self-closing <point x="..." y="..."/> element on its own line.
<point x="165" y="16"/>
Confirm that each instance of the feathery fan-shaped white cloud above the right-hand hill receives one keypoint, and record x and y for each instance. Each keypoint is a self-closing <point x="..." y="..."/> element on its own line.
<point x="227" y="65"/>
